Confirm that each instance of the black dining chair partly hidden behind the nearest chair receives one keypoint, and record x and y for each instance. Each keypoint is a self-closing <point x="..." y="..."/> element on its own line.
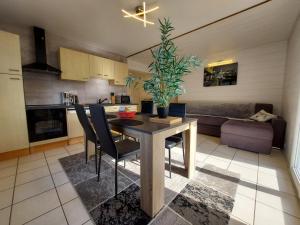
<point x="89" y="132"/>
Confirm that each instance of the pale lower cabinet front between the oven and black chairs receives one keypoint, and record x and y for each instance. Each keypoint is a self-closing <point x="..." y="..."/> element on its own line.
<point x="73" y="124"/>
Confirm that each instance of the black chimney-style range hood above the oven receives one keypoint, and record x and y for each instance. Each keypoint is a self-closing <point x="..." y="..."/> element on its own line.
<point x="40" y="66"/>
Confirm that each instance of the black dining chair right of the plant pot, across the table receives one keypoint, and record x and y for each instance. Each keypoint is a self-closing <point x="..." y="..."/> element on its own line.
<point x="176" y="110"/>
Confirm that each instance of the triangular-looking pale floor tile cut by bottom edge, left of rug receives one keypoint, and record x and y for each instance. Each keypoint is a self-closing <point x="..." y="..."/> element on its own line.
<point x="54" y="217"/>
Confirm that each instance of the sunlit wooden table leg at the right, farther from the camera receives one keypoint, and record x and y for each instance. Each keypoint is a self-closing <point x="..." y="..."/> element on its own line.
<point x="190" y="149"/>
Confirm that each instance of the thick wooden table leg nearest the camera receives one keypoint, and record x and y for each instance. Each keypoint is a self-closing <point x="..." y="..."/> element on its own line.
<point x="152" y="173"/>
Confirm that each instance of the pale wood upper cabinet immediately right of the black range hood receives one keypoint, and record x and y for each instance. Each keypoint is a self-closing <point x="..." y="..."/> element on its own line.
<point x="74" y="65"/>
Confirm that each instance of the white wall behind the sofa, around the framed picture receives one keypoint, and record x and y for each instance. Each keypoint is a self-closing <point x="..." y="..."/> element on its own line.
<point x="260" y="77"/>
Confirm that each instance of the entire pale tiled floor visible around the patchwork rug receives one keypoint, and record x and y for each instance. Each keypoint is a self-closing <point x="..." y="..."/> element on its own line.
<point x="35" y="190"/>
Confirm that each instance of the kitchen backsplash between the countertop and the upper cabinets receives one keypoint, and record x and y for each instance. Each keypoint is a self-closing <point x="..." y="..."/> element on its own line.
<point x="46" y="89"/>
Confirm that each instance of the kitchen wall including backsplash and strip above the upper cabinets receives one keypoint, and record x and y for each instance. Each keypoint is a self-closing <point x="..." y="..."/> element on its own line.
<point x="45" y="88"/>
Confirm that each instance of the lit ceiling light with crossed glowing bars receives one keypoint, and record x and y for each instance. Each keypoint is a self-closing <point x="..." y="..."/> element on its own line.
<point x="140" y="14"/>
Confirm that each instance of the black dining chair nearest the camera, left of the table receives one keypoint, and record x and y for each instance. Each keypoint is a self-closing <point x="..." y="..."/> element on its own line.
<point x="117" y="150"/>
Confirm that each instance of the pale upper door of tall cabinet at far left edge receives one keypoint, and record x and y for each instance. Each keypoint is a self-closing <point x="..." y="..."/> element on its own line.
<point x="10" y="54"/>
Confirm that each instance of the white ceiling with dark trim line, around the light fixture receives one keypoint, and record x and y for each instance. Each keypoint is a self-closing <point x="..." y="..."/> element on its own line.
<point x="100" y="22"/>
